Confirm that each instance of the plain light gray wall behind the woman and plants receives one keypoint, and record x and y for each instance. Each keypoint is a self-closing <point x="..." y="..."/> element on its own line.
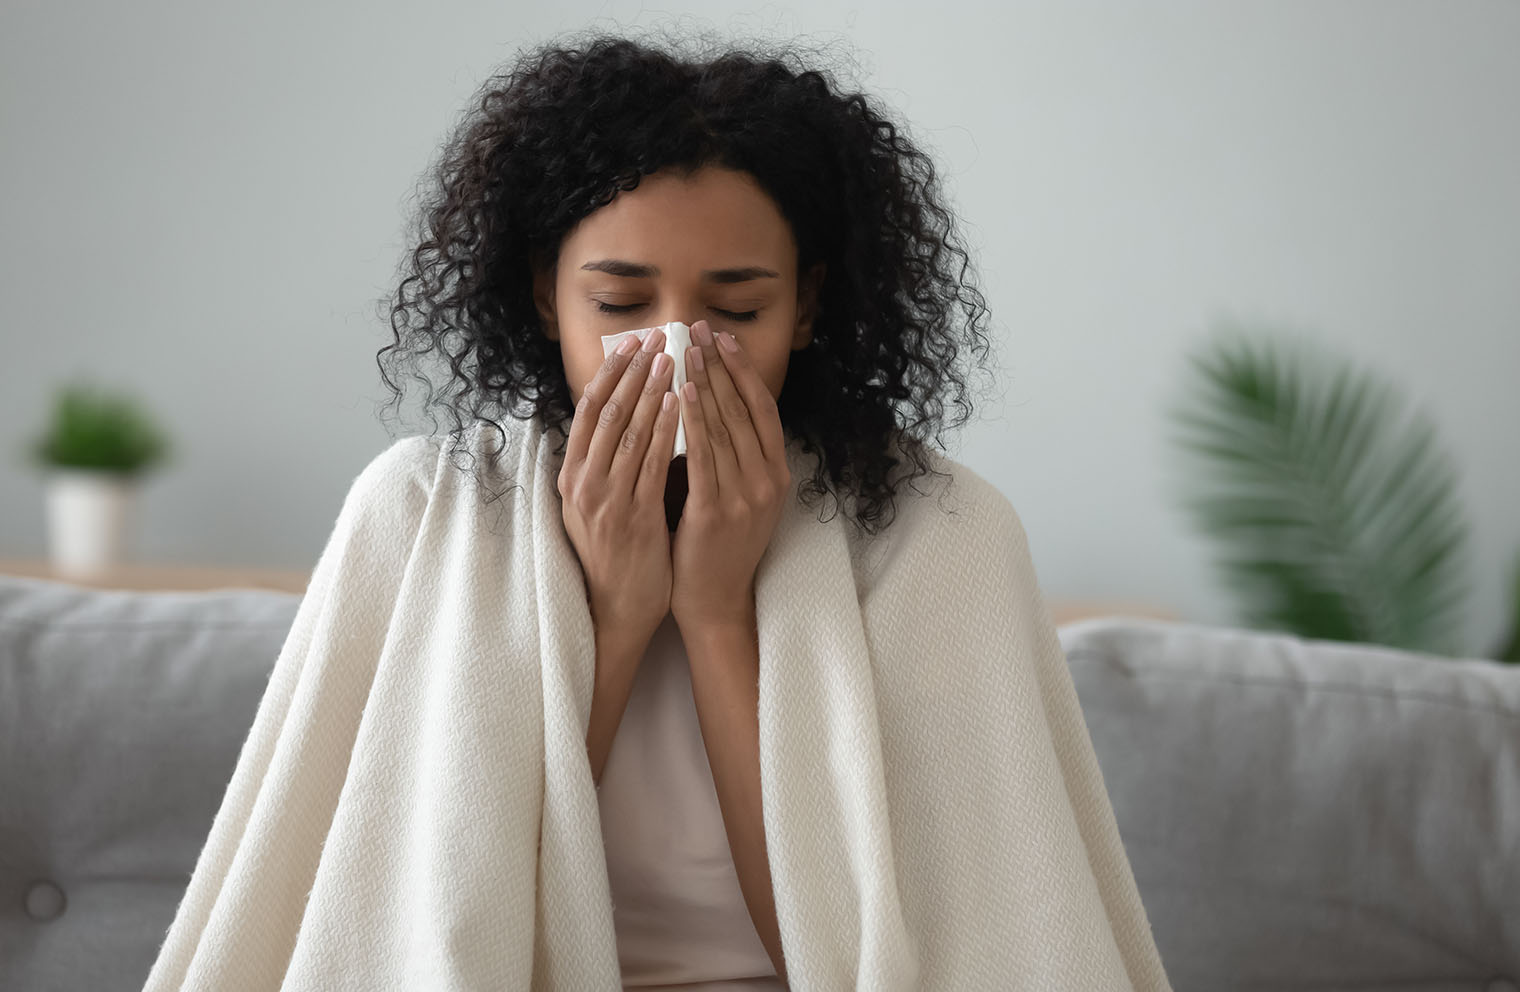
<point x="204" y="201"/>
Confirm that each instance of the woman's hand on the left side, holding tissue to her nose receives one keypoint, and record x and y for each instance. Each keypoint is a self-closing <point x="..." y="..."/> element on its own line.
<point x="612" y="488"/>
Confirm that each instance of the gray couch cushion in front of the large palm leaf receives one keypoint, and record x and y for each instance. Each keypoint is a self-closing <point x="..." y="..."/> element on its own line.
<point x="1309" y="815"/>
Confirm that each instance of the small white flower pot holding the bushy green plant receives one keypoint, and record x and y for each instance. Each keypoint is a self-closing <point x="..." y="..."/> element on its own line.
<point x="87" y="519"/>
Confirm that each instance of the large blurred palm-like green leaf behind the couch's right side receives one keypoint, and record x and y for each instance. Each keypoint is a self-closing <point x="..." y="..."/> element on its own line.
<point x="1335" y="510"/>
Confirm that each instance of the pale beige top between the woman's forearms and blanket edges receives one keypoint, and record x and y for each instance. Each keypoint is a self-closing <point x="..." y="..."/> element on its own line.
<point x="677" y="906"/>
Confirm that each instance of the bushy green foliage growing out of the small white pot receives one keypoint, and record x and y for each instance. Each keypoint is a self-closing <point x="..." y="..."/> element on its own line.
<point x="95" y="429"/>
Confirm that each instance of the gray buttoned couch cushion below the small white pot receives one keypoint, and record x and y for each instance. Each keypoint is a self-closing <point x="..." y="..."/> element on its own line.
<point x="121" y="721"/>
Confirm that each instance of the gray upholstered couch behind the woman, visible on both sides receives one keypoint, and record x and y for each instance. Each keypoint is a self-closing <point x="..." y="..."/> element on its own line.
<point x="1299" y="815"/>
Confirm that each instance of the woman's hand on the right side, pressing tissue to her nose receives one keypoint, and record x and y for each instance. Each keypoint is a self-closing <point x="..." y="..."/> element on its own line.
<point x="738" y="481"/>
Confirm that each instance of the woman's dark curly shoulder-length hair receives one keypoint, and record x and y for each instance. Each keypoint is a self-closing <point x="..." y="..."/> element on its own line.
<point x="569" y="125"/>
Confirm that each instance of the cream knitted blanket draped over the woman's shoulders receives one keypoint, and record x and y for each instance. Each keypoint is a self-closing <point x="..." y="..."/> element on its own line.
<point x="414" y="806"/>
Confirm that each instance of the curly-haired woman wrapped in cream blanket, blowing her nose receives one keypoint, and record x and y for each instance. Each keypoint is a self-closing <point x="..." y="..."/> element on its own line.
<point x="784" y="798"/>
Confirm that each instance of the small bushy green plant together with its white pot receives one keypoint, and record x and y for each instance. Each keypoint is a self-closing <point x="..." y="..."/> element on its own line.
<point x="95" y="449"/>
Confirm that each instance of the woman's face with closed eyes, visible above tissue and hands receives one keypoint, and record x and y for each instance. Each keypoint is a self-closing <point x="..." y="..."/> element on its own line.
<point x="714" y="247"/>
